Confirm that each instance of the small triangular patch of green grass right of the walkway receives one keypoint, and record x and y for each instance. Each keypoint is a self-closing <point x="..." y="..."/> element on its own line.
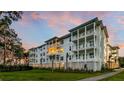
<point x="118" y="77"/>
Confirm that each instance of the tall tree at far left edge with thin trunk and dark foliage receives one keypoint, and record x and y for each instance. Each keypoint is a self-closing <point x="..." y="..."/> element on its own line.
<point x="6" y="19"/>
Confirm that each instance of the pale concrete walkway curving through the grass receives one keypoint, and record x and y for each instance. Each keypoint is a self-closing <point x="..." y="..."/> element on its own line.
<point x="100" y="77"/>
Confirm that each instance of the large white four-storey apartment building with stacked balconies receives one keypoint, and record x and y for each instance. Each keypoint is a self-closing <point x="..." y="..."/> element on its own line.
<point x="83" y="48"/>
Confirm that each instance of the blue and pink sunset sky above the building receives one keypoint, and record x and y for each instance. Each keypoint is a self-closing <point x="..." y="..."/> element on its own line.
<point x="35" y="27"/>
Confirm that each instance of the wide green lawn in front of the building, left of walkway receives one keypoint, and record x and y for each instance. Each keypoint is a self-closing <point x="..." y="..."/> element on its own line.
<point x="37" y="75"/>
